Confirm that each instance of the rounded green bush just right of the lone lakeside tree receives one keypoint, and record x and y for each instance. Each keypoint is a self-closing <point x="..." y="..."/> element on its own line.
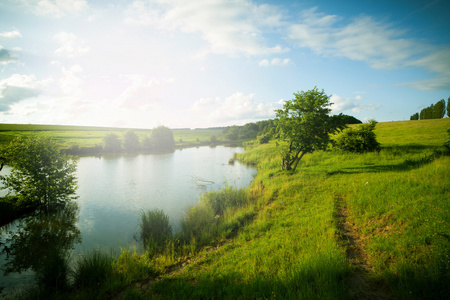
<point x="362" y="139"/>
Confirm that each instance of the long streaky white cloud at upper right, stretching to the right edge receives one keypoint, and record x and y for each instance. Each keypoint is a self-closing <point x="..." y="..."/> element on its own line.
<point x="378" y="44"/>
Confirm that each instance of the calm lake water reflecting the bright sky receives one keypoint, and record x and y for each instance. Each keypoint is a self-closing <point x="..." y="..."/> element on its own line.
<point x="114" y="190"/>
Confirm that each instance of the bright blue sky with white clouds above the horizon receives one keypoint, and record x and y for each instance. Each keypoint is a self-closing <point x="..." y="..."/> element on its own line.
<point x="211" y="63"/>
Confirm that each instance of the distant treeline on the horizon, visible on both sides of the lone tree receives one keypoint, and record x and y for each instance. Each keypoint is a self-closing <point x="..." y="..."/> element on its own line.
<point x="264" y="130"/>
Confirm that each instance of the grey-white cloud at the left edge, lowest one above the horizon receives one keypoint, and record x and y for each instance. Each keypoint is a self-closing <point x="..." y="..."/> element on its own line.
<point x="19" y="87"/>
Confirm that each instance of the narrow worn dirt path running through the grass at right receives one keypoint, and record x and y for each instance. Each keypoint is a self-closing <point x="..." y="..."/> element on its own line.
<point x="361" y="285"/>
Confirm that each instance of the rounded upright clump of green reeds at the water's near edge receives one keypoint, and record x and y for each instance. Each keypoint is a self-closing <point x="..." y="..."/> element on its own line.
<point x="155" y="229"/>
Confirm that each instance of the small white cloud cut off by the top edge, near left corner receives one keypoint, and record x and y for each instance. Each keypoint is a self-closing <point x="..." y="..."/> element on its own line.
<point x="55" y="8"/>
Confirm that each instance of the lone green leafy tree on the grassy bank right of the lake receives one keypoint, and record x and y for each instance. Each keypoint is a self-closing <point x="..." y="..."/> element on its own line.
<point x="304" y="125"/>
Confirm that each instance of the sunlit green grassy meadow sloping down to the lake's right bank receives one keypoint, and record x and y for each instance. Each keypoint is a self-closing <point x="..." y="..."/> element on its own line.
<point x="343" y="226"/>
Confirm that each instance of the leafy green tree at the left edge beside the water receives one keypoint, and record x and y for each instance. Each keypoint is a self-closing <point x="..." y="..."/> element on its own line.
<point x="40" y="175"/>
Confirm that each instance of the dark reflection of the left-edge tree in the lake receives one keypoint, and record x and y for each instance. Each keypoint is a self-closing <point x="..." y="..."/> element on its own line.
<point x="41" y="243"/>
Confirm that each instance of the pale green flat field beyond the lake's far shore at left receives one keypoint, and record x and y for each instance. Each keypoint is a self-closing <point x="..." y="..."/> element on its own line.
<point x="85" y="136"/>
